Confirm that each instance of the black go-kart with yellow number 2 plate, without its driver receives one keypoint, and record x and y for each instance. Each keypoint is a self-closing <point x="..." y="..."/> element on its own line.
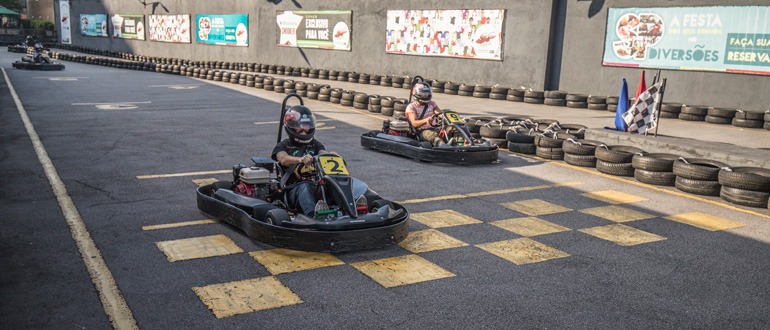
<point x="255" y="201"/>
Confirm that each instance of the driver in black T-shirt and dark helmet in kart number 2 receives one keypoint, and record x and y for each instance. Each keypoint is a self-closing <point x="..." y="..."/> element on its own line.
<point x="299" y="149"/>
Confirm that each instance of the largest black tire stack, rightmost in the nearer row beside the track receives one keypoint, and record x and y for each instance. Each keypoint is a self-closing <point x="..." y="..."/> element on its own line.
<point x="747" y="186"/>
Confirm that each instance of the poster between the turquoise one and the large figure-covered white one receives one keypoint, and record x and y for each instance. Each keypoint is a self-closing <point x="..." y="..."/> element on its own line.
<point x="328" y="29"/>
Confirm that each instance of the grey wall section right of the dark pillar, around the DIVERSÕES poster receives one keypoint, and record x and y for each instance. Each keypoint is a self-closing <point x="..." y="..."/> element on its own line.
<point x="582" y="70"/>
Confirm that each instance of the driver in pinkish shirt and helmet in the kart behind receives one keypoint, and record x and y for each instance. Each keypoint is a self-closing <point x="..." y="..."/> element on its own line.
<point x="421" y="114"/>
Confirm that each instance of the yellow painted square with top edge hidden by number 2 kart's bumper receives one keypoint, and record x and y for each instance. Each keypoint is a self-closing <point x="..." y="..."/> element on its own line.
<point x="279" y="261"/>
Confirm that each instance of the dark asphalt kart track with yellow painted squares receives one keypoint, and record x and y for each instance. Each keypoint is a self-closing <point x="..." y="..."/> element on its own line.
<point x="581" y="249"/>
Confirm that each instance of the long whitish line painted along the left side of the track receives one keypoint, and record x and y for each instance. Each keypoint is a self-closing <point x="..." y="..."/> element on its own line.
<point x="112" y="299"/>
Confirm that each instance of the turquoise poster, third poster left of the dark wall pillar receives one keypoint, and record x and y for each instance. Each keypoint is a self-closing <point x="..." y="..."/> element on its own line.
<point x="229" y="30"/>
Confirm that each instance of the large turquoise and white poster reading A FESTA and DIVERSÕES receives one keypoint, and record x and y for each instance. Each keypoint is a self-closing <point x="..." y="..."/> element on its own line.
<point x="718" y="38"/>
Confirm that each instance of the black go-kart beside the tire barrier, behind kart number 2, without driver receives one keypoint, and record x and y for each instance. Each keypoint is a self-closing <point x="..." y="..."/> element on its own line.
<point x="399" y="137"/>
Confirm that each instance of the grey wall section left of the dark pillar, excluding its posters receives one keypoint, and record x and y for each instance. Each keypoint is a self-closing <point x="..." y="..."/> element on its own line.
<point x="525" y="43"/>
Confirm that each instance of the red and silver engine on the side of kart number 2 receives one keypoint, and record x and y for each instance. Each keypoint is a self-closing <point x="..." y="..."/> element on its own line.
<point x="254" y="181"/>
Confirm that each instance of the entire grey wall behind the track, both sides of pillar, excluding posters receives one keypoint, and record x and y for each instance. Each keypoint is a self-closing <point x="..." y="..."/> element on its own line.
<point x="548" y="44"/>
